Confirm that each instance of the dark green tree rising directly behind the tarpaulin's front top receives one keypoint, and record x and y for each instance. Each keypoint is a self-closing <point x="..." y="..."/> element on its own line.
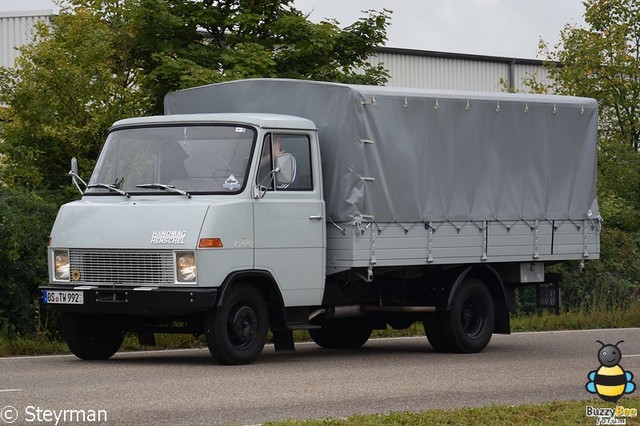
<point x="184" y="44"/>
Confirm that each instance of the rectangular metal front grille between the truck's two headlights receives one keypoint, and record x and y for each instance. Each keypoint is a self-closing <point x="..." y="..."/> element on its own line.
<point x="122" y="267"/>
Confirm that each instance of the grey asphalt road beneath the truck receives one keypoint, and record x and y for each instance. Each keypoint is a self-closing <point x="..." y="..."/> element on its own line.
<point x="402" y="374"/>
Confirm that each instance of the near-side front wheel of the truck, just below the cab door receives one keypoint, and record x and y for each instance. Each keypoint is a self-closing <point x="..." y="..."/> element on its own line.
<point x="237" y="331"/>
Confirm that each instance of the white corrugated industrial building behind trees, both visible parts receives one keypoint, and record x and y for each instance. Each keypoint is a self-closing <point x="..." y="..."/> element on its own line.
<point x="407" y="68"/>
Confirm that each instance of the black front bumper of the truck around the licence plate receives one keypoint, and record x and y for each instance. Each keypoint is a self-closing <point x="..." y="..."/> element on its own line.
<point x="136" y="300"/>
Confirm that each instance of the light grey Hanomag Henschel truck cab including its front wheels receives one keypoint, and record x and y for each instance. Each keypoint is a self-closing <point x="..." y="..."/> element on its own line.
<point x="181" y="212"/>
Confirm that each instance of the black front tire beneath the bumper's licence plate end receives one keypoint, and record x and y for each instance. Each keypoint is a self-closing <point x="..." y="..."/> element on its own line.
<point x="90" y="337"/>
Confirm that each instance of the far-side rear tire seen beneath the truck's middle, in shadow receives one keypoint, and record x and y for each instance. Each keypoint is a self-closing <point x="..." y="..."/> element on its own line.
<point x="343" y="333"/>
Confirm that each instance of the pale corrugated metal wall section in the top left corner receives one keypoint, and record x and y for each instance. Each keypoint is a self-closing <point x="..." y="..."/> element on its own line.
<point x="16" y="29"/>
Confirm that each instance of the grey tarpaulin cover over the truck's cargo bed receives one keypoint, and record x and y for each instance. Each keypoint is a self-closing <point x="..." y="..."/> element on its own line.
<point x="411" y="155"/>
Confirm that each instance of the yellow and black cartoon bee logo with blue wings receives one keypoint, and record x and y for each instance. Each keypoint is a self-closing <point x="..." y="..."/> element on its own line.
<point x="610" y="381"/>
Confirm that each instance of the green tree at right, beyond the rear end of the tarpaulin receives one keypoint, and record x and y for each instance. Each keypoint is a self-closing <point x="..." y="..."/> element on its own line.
<point x="602" y="61"/>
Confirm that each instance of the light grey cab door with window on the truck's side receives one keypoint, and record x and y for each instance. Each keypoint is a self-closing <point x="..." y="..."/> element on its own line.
<point x="289" y="217"/>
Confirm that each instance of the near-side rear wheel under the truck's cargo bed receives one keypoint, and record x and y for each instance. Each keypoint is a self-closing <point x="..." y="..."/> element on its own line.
<point x="468" y="326"/>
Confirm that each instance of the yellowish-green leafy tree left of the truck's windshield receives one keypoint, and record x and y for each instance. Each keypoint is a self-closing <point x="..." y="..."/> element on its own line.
<point x="67" y="88"/>
